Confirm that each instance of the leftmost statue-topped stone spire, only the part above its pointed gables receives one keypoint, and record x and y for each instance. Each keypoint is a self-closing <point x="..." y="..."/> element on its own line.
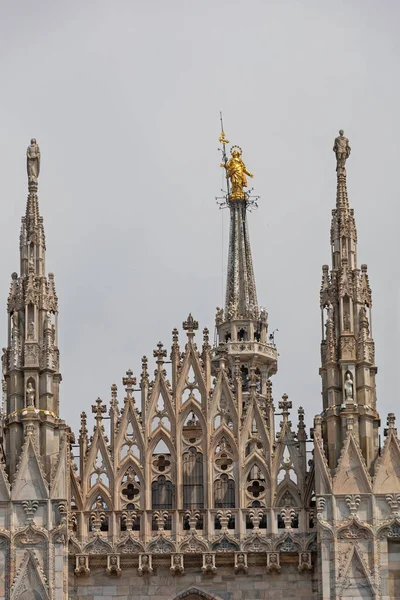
<point x="31" y="359"/>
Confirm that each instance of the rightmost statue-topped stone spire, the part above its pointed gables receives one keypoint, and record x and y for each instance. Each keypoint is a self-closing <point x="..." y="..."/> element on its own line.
<point x="347" y="350"/>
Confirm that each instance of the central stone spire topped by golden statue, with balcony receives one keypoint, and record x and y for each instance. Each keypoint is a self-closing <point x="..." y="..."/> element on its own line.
<point x="242" y="326"/>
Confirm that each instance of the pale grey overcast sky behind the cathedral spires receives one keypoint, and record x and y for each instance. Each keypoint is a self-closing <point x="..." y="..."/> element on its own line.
<point x="124" y="99"/>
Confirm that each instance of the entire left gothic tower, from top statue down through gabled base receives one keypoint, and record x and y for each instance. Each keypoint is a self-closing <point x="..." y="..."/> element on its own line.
<point x="35" y="442"/>
